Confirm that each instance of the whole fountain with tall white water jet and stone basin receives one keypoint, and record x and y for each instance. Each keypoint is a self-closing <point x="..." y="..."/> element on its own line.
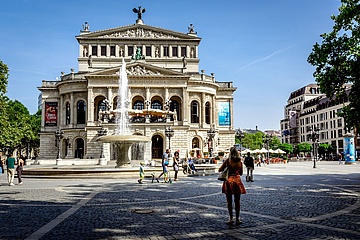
<point x="121" y="138"/>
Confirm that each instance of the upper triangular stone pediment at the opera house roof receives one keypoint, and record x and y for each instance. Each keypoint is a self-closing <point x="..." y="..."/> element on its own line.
<point x="137" y="31"/>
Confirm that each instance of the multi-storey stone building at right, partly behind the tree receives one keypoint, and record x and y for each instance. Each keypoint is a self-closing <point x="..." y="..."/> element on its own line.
<point x="308" y="108"/>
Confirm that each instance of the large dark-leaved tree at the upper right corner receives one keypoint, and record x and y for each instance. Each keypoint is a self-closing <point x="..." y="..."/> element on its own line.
<point x="337" y="61"/>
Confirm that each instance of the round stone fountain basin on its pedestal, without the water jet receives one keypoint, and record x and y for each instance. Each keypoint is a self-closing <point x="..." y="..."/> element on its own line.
<point x="122" y="146"/>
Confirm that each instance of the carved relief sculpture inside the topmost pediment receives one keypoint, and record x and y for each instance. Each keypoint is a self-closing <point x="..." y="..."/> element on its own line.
<point x="139" y="33"/>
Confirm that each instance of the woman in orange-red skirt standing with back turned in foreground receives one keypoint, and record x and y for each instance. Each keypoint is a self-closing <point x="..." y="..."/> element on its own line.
<point x="234" y="185"/>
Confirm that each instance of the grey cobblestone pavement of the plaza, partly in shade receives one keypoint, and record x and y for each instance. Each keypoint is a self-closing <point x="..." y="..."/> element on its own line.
<point x="286" y="201"/>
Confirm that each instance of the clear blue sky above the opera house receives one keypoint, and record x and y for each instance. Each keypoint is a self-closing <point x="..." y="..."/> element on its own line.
<point x="260" y="45"/>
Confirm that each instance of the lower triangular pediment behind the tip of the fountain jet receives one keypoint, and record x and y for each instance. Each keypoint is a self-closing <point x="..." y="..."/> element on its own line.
<point x="137" y="69"/>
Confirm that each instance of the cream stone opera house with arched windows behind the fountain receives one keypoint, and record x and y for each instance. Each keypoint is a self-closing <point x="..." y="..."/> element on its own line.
<point x="166" y="90"/>
